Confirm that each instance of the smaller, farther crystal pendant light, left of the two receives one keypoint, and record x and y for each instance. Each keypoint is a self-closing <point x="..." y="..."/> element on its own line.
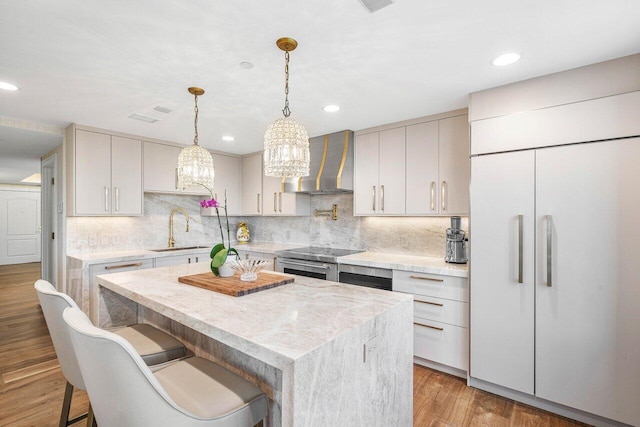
<point x="195" y="164"/>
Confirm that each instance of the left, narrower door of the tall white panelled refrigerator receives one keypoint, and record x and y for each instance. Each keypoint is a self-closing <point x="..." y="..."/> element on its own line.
<point x="502" y="275"/>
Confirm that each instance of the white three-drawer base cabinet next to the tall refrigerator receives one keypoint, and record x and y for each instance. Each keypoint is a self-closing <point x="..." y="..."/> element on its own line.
<point x="440" y="319"/>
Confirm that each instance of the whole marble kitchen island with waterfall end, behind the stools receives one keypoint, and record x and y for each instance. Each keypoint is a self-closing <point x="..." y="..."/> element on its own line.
<point x="303" y="344"/>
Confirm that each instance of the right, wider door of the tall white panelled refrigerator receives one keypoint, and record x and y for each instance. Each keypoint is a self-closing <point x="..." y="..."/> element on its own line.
<point x="588" y="293"/>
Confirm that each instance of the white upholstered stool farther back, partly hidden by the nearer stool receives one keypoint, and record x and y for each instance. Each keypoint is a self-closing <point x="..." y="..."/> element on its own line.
<point x="154" y="346"/>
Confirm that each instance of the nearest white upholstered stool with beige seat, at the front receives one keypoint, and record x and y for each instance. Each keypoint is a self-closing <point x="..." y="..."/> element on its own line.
<point x="191" y="392"/>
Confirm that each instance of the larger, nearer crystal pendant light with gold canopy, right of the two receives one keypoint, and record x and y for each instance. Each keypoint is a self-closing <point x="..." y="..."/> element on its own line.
<point x="286" y="142"/>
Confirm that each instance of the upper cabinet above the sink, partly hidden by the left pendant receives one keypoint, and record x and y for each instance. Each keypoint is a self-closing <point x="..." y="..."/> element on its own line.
<point x="160" y="169"/>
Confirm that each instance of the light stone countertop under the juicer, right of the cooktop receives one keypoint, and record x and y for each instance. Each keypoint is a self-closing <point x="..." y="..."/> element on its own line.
<point x="418" y="264"/>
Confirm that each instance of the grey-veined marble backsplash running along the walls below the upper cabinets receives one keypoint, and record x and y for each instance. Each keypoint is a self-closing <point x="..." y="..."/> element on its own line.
<point x="403" y="235"/>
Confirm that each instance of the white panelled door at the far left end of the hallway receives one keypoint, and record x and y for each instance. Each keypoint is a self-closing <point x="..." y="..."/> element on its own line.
<point x="19" y="227"/>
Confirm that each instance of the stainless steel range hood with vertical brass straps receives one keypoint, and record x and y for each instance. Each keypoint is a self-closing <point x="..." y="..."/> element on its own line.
<point x="331" y="168"/>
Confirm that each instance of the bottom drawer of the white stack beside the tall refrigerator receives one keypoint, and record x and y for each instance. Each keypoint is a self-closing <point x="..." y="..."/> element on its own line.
<point x="441" y="343"/>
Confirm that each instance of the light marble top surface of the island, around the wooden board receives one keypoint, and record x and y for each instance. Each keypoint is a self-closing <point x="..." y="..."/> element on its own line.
<point x="277" y="326"/>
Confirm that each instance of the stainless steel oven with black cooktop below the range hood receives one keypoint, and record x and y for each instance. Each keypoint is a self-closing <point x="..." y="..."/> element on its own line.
<point x="318" y="262"/>
